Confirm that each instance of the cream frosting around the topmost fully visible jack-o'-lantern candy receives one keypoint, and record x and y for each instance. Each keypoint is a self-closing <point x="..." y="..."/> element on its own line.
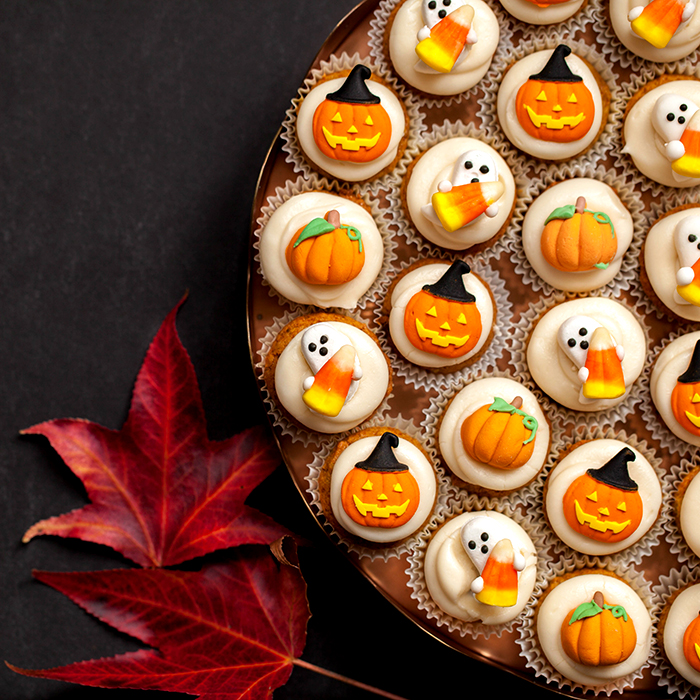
<point x="516" y="76"/>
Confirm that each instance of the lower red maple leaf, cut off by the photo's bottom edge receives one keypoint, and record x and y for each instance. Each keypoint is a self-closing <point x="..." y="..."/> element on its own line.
<point x="228" y="631"/>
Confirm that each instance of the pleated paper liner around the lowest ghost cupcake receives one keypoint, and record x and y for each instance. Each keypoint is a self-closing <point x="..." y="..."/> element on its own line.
<point x="415" y="571"/>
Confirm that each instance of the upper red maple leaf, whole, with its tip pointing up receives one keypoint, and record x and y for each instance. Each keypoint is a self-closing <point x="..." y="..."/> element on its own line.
<point x="161" y="492"/>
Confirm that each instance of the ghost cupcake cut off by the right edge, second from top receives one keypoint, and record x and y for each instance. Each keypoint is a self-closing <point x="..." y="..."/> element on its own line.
<point x="661" y="131"/>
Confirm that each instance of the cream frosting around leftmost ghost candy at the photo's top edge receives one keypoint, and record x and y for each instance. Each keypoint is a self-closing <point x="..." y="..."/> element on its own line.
<point x="469" y="70"/>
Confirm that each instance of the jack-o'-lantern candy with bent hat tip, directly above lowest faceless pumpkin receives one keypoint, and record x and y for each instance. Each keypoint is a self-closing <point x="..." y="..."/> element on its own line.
<point x="604" y="504"/>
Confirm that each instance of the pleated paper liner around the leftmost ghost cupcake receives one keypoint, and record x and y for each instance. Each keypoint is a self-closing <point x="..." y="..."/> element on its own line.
<point x="279" y="420"/>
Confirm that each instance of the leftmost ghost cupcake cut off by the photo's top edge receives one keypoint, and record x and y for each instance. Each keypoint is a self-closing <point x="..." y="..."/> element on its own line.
<point x="441" y="47"/>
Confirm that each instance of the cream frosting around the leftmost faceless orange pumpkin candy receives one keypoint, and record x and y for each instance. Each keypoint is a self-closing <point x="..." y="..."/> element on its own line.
<point x="293" y="215"/>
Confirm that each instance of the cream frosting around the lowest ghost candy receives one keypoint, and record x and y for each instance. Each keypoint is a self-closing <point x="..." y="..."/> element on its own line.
<point x="449" y="571"/>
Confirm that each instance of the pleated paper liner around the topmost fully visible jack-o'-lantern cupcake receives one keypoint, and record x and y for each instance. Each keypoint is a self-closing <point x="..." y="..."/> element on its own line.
<point x="599" y="149"/>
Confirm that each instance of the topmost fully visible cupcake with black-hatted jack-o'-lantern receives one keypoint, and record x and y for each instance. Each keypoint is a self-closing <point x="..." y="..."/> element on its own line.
<point x="552" y="104"/>
